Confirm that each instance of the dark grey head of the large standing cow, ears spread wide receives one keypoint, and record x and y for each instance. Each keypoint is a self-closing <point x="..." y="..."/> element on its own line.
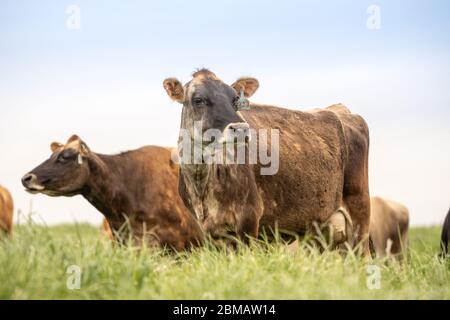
<point x="212" y="103"/>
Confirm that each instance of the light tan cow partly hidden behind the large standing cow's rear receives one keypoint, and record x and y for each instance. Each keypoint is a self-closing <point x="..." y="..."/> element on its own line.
<point x="389" y="223"/>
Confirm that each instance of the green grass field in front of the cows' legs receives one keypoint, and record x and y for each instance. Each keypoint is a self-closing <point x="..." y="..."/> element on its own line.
<point x="34" y="265"/>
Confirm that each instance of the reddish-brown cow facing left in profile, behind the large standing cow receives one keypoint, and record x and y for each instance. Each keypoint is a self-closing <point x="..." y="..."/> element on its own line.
<point x="135" y="190"/>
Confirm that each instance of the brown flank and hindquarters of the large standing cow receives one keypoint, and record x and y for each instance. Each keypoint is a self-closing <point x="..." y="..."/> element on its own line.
<point x="323" y="166"/>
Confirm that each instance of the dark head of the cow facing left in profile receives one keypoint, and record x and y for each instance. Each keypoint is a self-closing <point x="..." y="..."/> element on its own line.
<point x="64" y="173"/>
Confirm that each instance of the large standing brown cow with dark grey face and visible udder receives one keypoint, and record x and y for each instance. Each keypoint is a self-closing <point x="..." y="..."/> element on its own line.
<point x="323" y="162"/>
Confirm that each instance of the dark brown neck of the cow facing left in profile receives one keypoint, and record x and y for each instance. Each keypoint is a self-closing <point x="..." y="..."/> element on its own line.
<point x="105" y="189"/>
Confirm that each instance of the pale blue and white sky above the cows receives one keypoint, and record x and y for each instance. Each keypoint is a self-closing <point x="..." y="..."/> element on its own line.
<point x="103" y="81"/>
